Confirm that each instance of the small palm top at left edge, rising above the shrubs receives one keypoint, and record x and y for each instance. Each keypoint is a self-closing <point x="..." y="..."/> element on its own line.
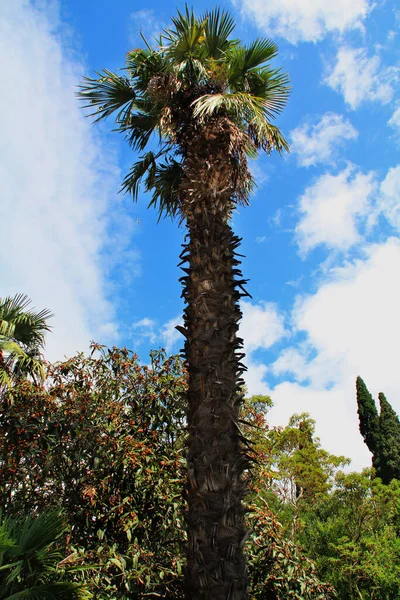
<point x="22" y="333"/>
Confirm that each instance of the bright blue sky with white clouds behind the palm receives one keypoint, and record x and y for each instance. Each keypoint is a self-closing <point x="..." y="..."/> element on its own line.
<point x="321" y="236"/>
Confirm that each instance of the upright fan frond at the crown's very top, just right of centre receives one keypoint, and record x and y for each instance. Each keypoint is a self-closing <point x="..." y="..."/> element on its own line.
<point x="218" y="28"/>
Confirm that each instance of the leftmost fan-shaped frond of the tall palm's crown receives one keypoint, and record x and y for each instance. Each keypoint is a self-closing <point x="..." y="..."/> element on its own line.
<point x="109" y="92"/>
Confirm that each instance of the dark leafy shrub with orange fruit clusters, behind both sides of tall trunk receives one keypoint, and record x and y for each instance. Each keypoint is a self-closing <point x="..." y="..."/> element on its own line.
<point x="105" y="439"/>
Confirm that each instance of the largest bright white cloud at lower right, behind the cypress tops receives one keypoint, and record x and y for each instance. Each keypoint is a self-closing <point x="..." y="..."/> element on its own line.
<point x="352" y="328"/>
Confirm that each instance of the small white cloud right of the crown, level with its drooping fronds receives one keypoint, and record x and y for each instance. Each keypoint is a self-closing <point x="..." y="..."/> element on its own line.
<point x="313" y="144"/>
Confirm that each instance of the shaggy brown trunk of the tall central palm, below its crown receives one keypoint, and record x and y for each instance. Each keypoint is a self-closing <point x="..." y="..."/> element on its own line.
<point x="216" y="567"/>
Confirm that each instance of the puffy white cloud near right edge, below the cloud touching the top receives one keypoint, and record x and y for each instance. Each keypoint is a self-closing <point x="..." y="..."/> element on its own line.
<point x="361" y="79"/>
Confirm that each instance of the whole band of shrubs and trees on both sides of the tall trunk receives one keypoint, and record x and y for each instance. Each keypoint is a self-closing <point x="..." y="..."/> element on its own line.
<point x="103" y="439"/>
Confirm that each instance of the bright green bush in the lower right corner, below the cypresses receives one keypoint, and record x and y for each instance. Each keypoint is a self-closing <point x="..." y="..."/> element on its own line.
<point x="352" y="536"/>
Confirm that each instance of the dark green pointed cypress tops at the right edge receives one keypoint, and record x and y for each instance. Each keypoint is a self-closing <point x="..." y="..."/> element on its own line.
<point x="381" y="433"/>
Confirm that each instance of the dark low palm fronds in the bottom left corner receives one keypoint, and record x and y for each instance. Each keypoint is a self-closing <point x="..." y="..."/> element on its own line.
<point x="28" y="560"/>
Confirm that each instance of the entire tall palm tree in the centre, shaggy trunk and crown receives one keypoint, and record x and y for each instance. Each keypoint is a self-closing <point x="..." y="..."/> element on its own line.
<point x="206" y="102"/>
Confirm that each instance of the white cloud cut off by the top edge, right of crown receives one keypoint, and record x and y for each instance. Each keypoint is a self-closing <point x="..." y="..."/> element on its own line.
<point x="310" y="20"/>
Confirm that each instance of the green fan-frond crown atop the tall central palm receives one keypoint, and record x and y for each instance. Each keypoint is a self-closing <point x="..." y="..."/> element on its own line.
<point x="196" y="83"/>
